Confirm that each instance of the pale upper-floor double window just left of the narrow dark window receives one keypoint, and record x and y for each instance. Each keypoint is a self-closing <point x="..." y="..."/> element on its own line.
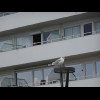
<point x="72" y="32"/>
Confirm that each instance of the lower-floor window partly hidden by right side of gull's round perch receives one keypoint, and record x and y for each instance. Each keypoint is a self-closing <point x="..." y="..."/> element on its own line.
<point x="77" y="73"/>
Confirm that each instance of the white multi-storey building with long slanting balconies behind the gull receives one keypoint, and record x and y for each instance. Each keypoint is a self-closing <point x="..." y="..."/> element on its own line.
<point x="29" y="41"/>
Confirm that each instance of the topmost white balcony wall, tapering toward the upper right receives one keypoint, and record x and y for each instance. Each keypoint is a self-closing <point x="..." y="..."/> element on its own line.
<point x="29" y="18"/>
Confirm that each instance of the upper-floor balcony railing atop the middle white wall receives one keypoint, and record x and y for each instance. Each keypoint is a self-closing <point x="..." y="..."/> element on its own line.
<point x="12" y="47"/>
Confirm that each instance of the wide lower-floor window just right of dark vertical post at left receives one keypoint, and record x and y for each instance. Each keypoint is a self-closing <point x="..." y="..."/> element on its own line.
<point x="24" y="78"/>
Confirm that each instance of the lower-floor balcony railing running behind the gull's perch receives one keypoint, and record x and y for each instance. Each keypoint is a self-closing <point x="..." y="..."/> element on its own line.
<point x="8" y="82"/>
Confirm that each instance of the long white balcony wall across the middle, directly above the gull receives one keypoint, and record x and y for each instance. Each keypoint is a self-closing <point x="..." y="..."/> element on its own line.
<point x="52" y="50"/>
